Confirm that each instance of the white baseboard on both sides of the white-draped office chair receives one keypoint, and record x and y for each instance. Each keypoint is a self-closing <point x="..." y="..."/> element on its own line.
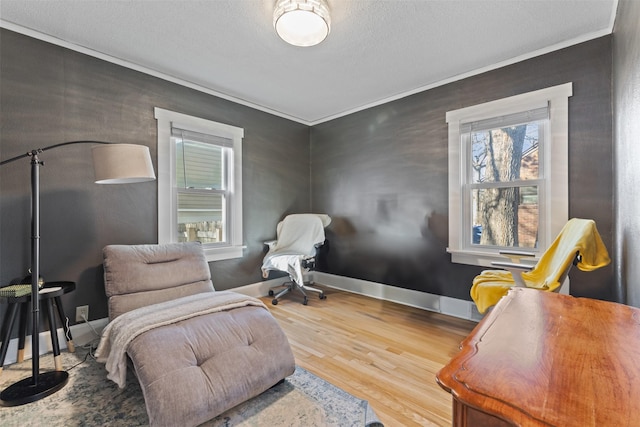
<point x="426" y="301"/>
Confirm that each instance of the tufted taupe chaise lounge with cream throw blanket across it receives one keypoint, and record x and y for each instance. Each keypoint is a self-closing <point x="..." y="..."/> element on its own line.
<point x="196" y="352"/>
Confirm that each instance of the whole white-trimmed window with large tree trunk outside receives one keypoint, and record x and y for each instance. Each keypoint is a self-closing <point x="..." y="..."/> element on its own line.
<point x="508" y="180"/>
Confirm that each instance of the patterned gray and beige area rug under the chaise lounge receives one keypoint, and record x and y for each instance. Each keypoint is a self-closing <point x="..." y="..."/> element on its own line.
<point x="89" y="399"/>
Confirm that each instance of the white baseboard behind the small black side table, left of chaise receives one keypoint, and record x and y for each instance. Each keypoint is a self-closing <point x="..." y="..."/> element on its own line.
<point x="82" y="334"/>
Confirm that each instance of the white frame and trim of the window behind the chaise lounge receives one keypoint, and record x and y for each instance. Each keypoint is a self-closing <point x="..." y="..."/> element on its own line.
<point x="167" y="190"/>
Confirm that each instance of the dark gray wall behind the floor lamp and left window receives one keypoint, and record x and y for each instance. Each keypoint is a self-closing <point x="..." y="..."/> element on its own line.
<point x="49" y="95"/>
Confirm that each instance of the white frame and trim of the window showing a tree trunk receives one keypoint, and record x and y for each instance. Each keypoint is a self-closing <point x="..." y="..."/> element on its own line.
<point x="555" y="186"/>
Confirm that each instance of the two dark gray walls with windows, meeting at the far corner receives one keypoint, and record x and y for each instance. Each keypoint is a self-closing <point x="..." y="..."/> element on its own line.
<point x="381" y="173"/>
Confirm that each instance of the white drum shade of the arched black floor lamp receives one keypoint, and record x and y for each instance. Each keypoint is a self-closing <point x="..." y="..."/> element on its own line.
<point x="122" y="163"/>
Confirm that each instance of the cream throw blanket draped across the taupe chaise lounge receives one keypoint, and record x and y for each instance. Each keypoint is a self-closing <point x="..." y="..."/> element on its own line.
<point x="122" y="330"/>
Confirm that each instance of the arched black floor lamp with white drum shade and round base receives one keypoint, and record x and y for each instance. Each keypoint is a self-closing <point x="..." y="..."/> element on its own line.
<point x="113" y="164"/>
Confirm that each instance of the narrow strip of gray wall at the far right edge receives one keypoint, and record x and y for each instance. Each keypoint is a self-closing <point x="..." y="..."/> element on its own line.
<point x="626" y="75"/>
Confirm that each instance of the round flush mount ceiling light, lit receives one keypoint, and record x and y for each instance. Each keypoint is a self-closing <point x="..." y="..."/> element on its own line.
<point x="302" y="22"/>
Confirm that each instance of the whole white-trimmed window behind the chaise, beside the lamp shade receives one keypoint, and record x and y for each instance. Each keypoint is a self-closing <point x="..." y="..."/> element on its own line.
<point x="200" y="183"/>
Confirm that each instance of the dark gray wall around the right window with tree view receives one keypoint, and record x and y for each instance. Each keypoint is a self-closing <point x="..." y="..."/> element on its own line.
<point x="382" y="173"/>
